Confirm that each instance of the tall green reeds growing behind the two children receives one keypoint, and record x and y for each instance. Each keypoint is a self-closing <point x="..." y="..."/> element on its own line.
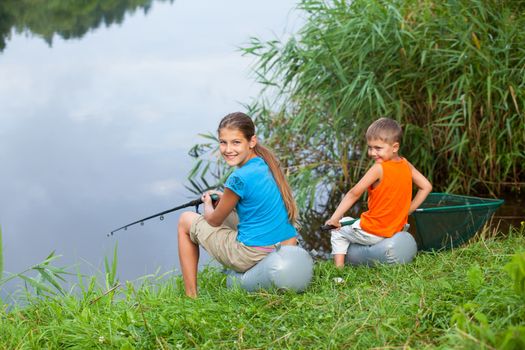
<point x="452" y="72"/>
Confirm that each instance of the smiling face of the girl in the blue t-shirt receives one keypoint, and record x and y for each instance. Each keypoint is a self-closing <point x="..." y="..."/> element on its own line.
<point x="235" y="148"/>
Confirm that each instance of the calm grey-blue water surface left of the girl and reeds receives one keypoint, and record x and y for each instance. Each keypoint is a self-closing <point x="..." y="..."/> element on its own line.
<point x="95" y="130"/>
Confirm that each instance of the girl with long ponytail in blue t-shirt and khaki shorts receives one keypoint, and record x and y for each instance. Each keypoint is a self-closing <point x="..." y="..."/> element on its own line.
<point x="254" y="214"/>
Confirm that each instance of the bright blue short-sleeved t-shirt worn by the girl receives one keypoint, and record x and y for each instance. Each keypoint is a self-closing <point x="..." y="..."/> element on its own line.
<point x="263" y="219"/>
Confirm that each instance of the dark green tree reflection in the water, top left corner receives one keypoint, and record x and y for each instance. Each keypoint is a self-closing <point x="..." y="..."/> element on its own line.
<point x="66" y="19"/>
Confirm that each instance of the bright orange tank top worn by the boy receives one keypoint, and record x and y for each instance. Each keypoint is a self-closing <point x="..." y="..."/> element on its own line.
<point x="389" y="202"/>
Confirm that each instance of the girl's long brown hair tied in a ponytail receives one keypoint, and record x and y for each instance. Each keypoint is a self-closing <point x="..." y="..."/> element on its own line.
<point x="244" y="124"/>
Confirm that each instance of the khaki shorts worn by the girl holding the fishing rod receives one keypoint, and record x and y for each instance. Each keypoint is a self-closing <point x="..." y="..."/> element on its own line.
<point x="221" y="243"/>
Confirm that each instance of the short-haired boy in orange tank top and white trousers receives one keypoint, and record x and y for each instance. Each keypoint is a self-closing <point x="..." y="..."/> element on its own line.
<point x="389" y="184"/>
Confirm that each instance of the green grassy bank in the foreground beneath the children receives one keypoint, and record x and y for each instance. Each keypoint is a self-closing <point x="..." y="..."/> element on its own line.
<point x="464" y="298"/>
